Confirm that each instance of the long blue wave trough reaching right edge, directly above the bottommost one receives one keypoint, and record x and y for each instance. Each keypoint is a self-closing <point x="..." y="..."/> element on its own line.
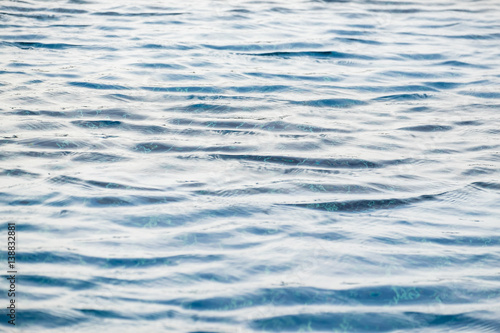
<point x="376" y="296"/>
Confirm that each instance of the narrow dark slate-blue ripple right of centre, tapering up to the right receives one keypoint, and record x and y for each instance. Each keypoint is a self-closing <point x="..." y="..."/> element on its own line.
<point x="353" y="206"/>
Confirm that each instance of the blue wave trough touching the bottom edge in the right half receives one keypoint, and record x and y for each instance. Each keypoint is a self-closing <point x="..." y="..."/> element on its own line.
<point x="367" y="322"/>
